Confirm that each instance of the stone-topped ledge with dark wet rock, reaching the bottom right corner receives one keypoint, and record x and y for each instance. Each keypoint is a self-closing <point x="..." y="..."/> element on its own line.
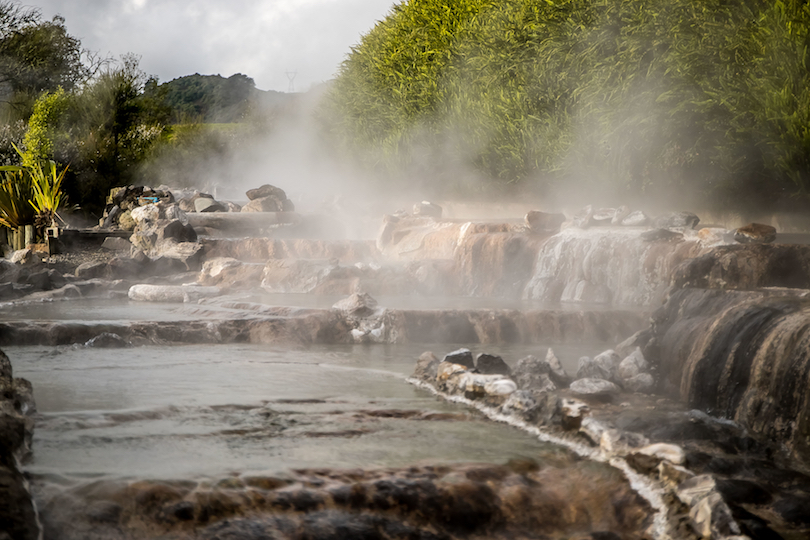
<point x="714" y="478"/>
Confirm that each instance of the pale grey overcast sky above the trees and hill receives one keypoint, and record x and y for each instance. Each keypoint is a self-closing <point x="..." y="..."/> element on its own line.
<point x="263" y="39"/>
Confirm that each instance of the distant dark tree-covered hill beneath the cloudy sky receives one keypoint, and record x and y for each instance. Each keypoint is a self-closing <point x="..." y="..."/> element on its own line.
<point x="215" y="99"/>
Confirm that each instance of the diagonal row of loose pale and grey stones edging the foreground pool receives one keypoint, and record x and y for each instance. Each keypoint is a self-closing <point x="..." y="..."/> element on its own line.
<point x="534" y="390"/>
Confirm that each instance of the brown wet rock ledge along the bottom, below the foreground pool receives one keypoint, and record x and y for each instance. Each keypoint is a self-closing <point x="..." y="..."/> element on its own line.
<point x="571" y="499"/>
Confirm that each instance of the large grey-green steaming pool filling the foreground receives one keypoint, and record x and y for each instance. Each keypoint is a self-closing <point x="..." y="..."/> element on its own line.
<point x="192" y="411"/>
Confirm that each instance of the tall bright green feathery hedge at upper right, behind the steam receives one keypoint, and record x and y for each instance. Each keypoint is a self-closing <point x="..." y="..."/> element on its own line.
<point x="709" y="98"/>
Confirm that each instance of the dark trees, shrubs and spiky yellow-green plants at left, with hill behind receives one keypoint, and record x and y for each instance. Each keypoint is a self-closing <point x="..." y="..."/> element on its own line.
<point x="93" y="123"/>
